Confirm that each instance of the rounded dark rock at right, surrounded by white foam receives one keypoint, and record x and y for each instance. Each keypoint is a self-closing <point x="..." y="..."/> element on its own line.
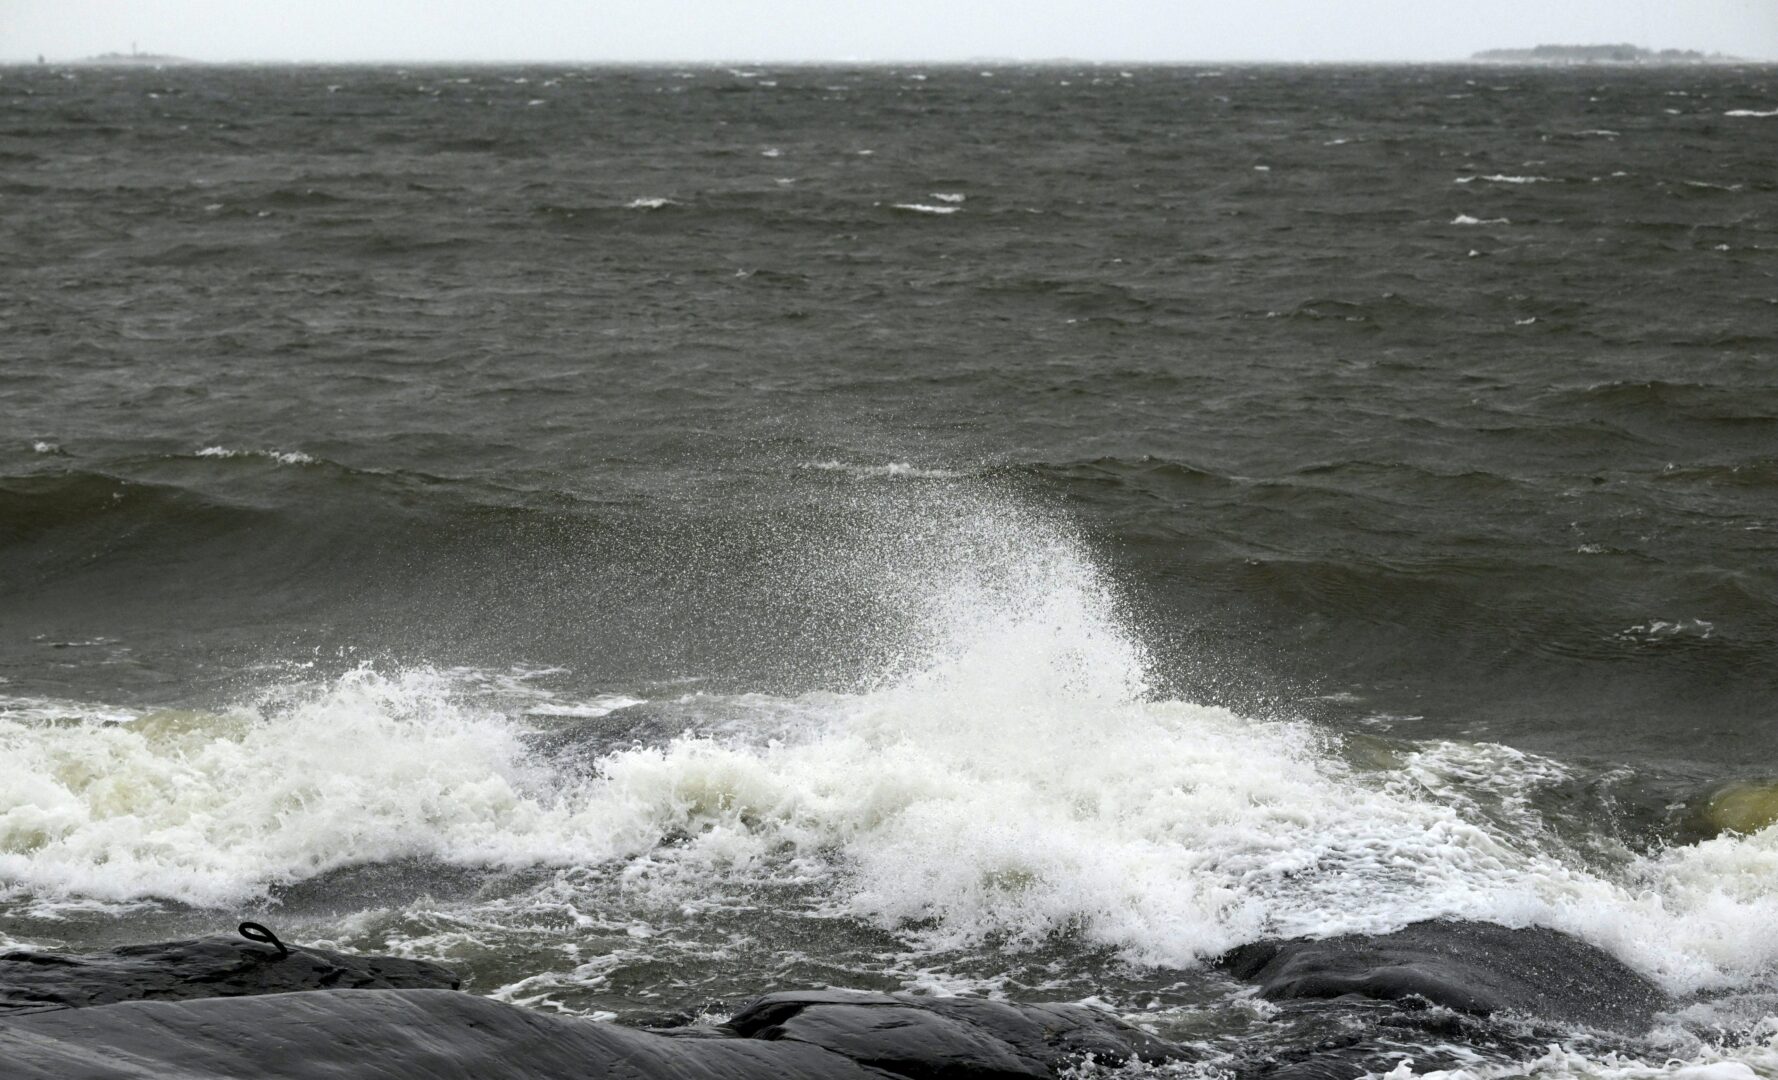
<point x="1471" y="967"/>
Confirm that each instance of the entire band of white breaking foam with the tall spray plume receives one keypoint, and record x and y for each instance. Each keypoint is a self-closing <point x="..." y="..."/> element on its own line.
<point x="1009" y="777"/>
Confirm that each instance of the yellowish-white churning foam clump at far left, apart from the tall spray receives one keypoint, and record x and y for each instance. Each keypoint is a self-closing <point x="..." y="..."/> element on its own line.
<point x="212" y="809"/>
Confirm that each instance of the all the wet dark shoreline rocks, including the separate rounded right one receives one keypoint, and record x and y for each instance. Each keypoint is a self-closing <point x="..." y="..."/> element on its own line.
<point x="223" y="1008"/>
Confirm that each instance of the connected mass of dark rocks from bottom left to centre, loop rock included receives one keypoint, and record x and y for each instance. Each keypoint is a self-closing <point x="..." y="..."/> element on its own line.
<point x="214" y="1010"/>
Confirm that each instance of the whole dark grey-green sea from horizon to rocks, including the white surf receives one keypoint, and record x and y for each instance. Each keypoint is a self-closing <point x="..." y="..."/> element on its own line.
<point x="657" y="536"/>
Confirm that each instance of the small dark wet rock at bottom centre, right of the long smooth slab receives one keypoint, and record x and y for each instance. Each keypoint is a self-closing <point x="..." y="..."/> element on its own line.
<point x="933" y="1038"/>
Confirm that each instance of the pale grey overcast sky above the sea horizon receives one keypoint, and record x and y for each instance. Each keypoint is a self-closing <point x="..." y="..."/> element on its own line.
<point x="870" y="31"/>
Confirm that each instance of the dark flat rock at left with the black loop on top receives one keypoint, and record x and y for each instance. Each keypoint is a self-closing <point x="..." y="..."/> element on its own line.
<point x="205" y="969"/>
